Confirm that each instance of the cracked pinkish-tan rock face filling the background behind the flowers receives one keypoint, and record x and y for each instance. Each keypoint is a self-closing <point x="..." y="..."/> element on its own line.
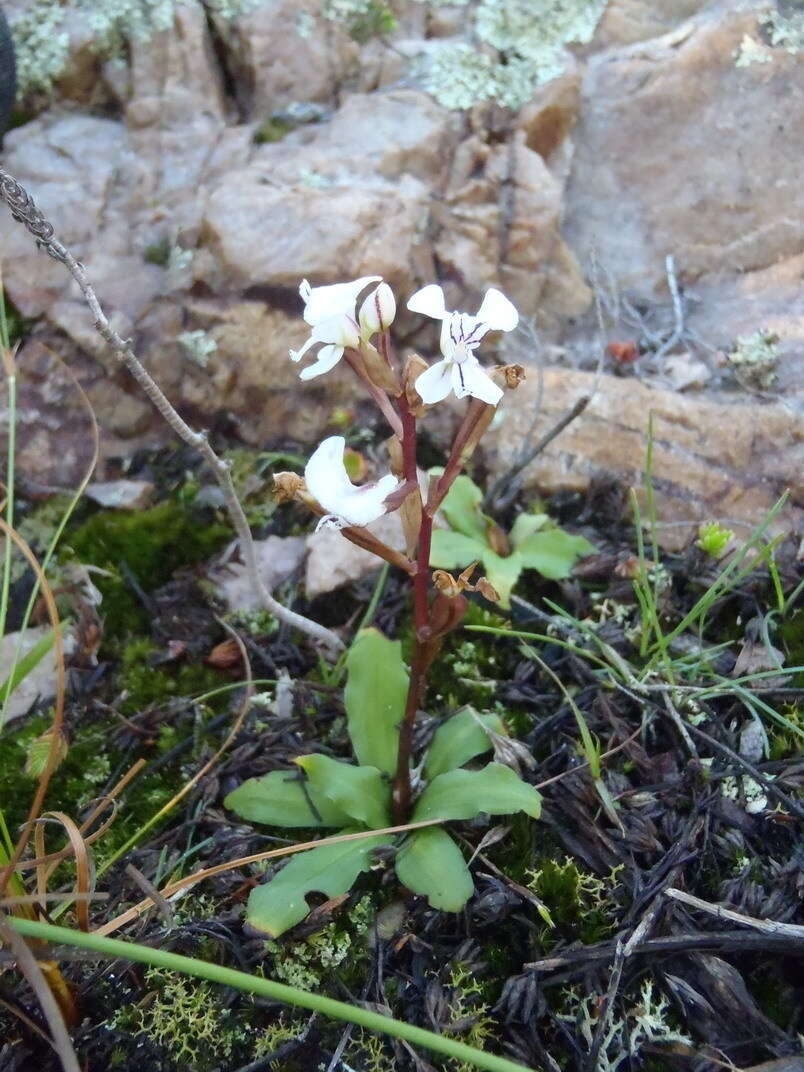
<point x="242" y="157"/>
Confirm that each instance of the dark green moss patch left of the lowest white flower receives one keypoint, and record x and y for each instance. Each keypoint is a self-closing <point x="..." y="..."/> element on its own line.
<point x="147" y="546"/>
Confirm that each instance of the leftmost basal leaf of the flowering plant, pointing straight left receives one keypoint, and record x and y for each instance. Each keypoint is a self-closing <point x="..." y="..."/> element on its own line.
<point x="279" y="800"/>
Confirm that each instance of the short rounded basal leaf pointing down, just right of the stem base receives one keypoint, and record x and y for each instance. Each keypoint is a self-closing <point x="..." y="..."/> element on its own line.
<point x="431" y="865"/>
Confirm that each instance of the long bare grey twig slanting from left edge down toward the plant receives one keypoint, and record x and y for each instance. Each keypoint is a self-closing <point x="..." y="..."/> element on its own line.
<point x="25" y="212"/>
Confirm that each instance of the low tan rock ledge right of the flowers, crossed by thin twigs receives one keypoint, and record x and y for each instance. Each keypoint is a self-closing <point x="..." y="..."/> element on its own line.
<point x="721" y="458"/>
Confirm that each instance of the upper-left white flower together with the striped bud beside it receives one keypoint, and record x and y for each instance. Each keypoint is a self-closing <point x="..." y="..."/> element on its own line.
<point x="332" y="314"/>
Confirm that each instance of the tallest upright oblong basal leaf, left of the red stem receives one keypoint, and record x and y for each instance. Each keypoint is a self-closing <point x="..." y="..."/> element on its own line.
<point x="376" y="694"/>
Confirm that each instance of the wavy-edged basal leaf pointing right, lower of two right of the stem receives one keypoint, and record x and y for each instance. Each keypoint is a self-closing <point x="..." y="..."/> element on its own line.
<point x="464" y="795"/>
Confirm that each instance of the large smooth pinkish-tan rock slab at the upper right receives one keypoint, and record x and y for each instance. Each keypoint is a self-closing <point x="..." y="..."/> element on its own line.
<point x="679" y="151"/>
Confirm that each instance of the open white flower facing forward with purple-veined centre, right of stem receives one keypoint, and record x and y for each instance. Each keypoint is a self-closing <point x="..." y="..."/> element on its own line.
<point x="461" y="334"/>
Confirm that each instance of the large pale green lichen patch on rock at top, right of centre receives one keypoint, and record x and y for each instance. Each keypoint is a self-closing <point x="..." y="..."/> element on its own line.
<point x="528" y="42"/>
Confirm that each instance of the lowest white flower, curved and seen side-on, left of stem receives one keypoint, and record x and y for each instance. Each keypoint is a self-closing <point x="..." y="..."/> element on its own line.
<point x="347" y="504"/>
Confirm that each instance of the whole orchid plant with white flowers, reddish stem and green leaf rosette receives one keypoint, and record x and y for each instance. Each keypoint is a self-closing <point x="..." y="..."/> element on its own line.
<point x="350" y="323"/>
